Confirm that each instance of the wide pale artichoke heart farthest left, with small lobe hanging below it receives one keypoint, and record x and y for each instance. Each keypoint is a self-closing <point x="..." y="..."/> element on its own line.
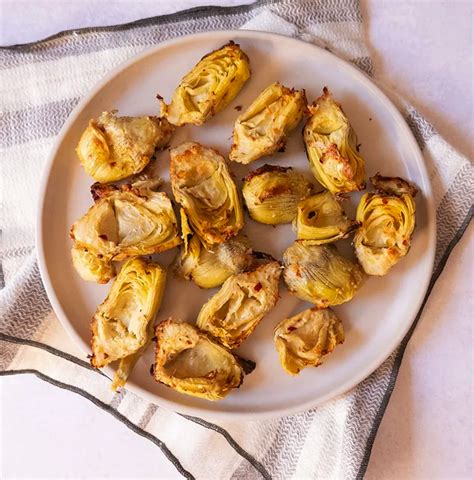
<point x="123" y="223"/>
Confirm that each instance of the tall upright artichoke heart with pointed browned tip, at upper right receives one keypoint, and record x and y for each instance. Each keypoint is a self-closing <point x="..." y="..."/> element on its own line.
<point x="331" y="147"/>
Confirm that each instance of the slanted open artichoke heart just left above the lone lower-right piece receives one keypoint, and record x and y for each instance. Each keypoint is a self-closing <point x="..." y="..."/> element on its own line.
<point x="232" y="314"/>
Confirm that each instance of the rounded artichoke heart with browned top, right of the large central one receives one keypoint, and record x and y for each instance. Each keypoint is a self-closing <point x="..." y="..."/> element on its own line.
<point x="272" y="194"/>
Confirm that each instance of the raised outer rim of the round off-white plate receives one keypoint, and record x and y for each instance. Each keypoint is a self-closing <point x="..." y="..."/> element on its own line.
<point x="219" y="414"/>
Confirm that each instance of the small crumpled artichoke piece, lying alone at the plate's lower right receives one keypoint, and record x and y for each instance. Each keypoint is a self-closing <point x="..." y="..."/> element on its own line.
<point x="303" y="340"/>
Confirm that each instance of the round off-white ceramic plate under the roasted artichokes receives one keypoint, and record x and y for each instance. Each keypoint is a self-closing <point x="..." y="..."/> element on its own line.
<point x="375" y="320"/>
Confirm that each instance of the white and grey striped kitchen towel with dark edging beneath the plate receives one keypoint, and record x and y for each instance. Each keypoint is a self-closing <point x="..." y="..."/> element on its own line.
<point x="40" y="84"/>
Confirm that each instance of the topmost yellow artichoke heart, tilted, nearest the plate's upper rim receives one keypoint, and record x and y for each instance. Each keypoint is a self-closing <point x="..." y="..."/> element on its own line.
<point x="211" y="85"/>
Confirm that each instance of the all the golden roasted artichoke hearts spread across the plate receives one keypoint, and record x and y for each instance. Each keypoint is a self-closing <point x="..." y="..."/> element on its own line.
<point x="133" y="220"/>
